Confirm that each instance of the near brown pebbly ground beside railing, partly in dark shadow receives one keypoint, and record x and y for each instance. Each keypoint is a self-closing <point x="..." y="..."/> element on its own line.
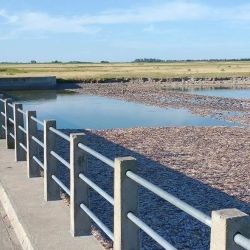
<point x="208" y="167"/>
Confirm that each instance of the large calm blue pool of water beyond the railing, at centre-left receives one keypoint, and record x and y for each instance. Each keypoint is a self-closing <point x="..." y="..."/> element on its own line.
<point x="84" y="111"/>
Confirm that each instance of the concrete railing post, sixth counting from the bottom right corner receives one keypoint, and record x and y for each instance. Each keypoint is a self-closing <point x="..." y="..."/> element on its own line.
<point x="20" y="154"/>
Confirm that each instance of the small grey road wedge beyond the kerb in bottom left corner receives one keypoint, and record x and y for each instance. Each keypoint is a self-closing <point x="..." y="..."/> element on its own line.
<point x="8" y="239"/>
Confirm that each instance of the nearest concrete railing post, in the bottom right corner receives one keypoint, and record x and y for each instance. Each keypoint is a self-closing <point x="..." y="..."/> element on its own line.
<point x="225" y="224"/>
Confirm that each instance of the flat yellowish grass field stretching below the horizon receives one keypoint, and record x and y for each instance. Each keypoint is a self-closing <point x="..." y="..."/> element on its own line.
<point x="129" y="70"/>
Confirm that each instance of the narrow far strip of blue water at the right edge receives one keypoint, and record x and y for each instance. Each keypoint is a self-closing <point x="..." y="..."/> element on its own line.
<point x="229" y="93"/>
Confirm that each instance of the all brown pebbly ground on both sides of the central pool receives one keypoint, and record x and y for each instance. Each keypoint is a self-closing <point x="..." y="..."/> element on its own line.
<point x="208" y="167"/>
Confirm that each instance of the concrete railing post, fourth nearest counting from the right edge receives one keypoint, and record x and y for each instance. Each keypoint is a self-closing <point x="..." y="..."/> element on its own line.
<point x="51" y="189"/>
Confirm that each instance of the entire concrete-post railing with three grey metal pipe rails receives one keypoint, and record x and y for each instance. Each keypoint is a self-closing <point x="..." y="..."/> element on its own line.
<point x="230" y="228"/>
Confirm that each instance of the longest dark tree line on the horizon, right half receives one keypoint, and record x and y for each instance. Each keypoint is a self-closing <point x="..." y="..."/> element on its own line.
<point x="152" y="60"/>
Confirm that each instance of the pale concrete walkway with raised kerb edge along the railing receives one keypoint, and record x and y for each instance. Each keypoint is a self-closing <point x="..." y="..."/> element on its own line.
<point x="38" y="224"/>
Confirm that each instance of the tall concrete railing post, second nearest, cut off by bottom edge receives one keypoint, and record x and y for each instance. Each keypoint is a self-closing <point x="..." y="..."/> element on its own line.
<point x="126" y="233"/>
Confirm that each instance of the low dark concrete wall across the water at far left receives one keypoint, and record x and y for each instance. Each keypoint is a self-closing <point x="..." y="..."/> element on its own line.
<point x="19" y="83"/>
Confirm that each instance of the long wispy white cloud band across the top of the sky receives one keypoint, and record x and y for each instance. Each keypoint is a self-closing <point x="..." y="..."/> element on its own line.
<point x="39" y="22"/>
